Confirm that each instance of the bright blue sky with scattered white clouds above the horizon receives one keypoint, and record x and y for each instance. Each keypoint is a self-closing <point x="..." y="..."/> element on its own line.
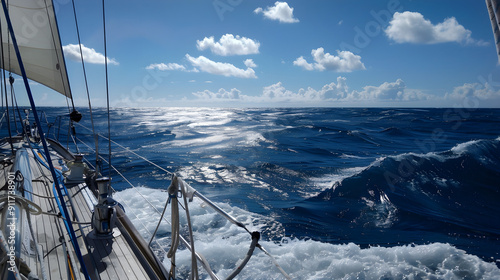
<point x="252" y="53"/>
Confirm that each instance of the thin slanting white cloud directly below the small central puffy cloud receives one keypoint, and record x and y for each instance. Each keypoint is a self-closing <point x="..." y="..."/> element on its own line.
<point x="219" y="68"/>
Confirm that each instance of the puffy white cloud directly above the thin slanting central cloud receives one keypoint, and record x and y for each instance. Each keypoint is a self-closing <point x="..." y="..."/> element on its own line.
<point x="229" y="45"/>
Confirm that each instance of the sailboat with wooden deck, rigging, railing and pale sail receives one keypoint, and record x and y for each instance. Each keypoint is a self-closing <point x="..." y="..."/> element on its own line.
<point x="58" y="217"/>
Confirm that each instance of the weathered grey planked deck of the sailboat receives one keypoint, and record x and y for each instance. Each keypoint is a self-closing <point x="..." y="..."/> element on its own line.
<point x="105" y="258"/>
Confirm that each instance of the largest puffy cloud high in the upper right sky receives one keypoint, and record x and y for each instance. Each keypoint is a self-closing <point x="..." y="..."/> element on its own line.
<point x="412" y="27"/>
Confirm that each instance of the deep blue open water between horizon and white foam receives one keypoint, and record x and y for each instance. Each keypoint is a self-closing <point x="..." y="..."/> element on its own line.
<point x="387" y="177"/>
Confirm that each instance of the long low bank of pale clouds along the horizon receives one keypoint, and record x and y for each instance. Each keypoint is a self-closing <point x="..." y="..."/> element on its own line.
<point x="338" y="94"/>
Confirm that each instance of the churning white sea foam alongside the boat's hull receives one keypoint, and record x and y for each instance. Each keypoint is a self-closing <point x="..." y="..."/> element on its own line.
<point x="224" y="245"/>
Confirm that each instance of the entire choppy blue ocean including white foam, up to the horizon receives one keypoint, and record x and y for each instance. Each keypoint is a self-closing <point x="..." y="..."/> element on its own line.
<point x="337" y="193"/>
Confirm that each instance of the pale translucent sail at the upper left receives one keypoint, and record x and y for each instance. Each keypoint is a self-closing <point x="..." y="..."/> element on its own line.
<point x="37" y="35"/>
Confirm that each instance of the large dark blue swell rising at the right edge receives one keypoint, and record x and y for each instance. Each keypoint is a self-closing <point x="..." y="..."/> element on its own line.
<point x="458" y="187"/>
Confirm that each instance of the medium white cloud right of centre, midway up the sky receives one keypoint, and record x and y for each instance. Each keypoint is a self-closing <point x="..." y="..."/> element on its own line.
<point x="346" y="61"/>
